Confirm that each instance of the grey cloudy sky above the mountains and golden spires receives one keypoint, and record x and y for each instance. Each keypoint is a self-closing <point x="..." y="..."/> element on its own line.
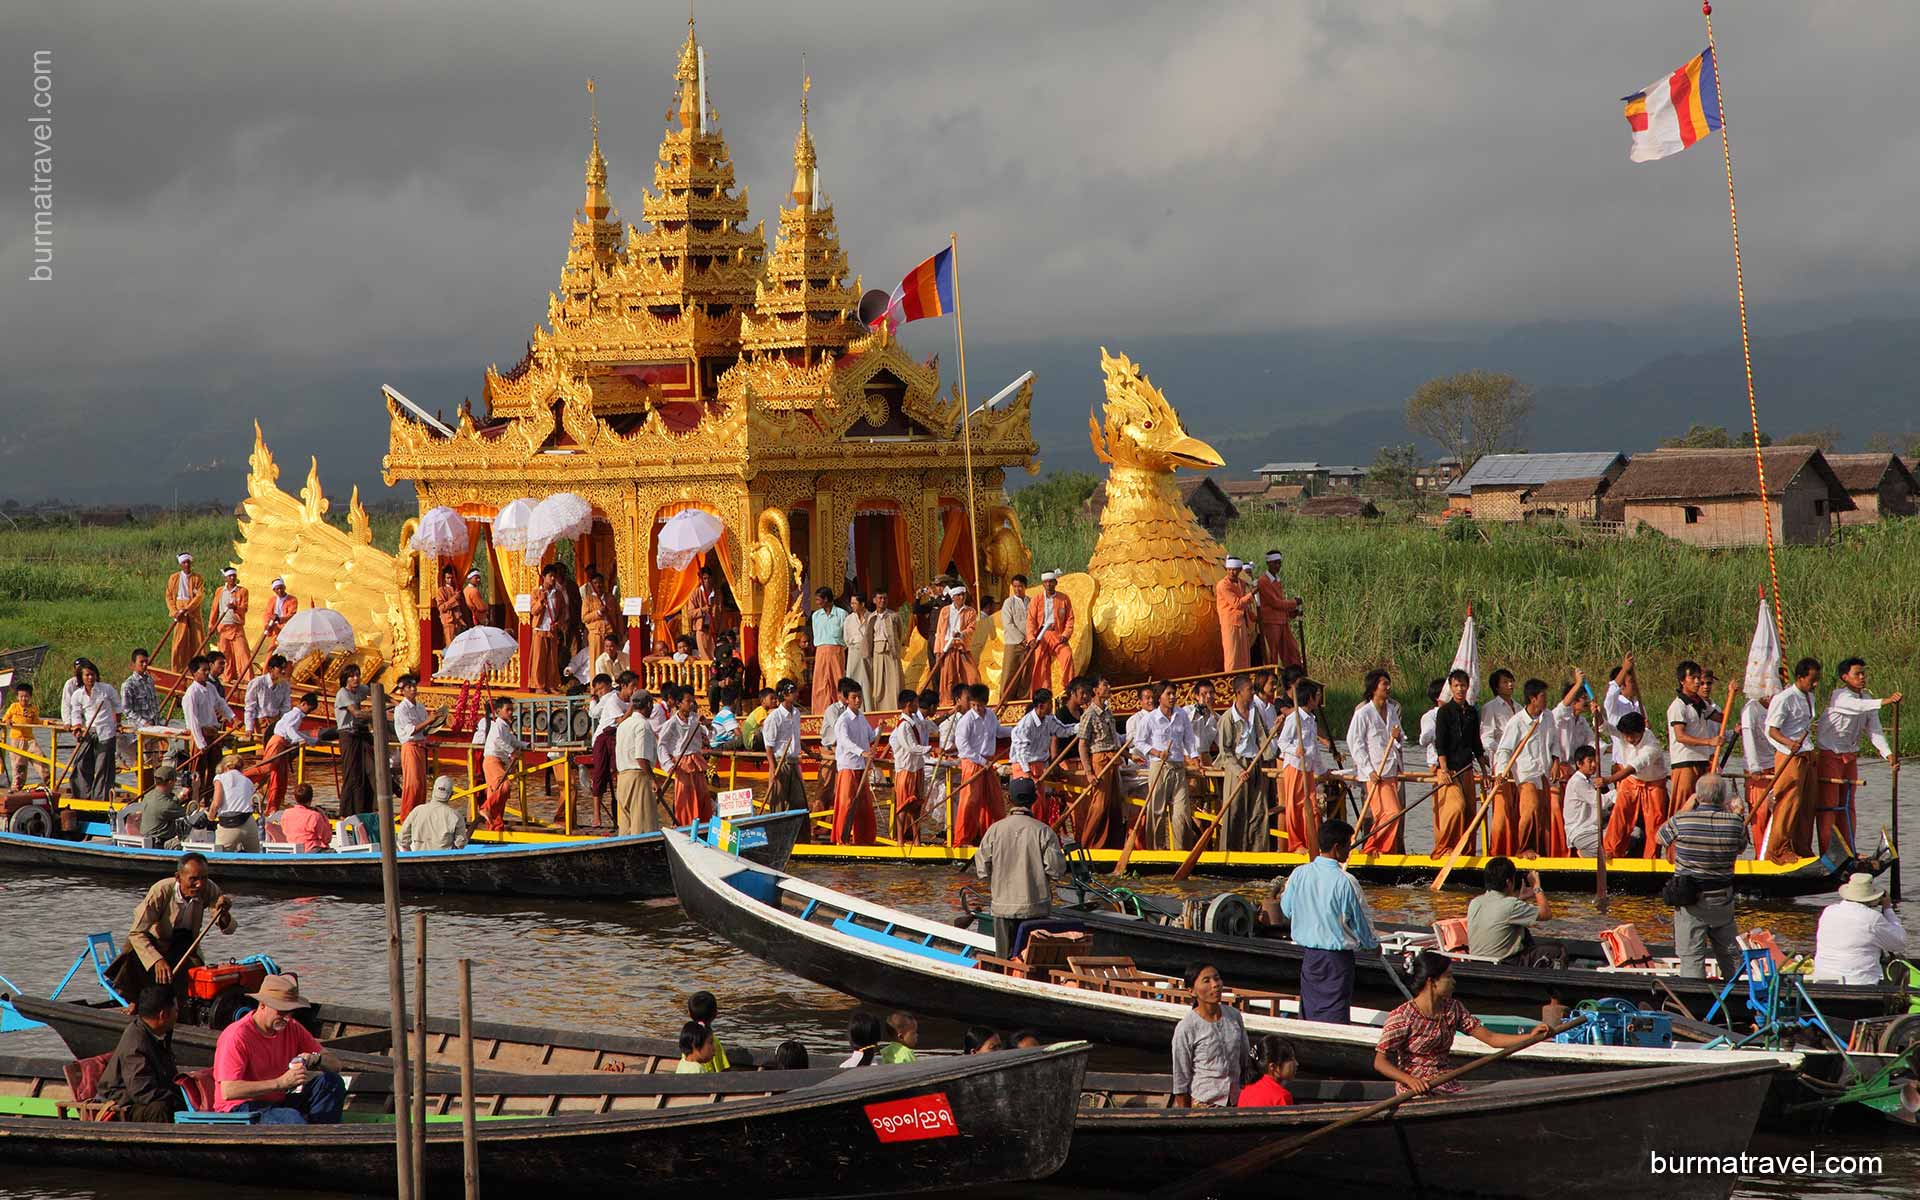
<point x="393" y="183"/>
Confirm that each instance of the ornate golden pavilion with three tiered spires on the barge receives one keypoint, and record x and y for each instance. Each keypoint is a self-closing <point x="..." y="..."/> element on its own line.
<point x="683" y="366"/>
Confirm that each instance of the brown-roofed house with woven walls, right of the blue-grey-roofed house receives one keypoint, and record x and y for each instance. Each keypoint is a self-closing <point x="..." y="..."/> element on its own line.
<point x="1712" y="496"/>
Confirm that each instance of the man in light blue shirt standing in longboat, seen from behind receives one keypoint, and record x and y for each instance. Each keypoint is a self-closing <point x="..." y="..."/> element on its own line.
<point x="1330" y="921"/>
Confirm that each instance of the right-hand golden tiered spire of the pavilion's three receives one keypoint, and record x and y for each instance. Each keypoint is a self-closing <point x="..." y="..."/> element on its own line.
<point x="805" y="308"/>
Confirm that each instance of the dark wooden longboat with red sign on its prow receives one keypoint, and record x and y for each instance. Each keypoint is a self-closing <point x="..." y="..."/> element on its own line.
<point x="1003" y="1118"/>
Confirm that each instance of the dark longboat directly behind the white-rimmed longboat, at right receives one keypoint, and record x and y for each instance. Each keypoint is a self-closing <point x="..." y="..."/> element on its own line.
<point x="1274" y="963"/>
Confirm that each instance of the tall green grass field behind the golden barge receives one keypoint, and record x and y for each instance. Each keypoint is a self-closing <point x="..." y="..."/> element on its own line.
<point x="1381" y="594"/>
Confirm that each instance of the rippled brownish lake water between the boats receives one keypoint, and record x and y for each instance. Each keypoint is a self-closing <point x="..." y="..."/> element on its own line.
<point x="631" y="967"/>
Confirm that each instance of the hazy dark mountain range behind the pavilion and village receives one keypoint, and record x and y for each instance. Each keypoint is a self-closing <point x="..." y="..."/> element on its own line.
<point x="183" y="431"/>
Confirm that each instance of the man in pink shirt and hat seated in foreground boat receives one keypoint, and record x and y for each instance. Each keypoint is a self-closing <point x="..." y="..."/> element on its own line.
<point x="268" y="1063"/>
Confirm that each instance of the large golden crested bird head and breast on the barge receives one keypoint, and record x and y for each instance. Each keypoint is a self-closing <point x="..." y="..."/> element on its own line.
<point x="1155" y="567"/>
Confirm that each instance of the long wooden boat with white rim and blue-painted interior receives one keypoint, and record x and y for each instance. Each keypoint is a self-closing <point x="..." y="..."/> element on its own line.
<point x="903" y="961"/>
